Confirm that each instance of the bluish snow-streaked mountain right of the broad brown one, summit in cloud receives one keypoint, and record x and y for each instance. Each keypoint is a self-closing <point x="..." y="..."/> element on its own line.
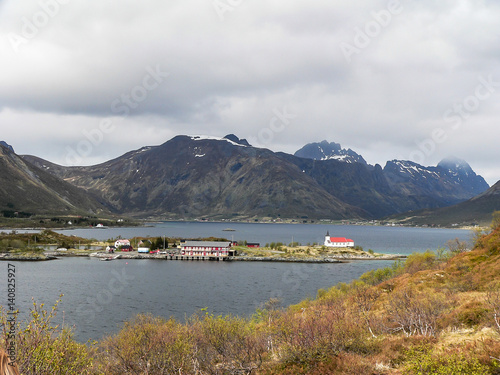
<point x="401" y="186"/>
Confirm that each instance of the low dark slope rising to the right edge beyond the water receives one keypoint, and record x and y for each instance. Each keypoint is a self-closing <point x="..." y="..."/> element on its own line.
<point x="477" y="210"/>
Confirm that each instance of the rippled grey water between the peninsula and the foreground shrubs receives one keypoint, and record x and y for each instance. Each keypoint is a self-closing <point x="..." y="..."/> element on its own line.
<point x="100" y="296"/>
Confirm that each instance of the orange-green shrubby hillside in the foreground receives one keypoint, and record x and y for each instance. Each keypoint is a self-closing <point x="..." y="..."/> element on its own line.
<point x="432" y="314"/>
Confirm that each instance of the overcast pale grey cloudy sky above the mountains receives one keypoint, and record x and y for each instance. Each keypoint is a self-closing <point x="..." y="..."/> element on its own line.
<point x="85" y="81"/>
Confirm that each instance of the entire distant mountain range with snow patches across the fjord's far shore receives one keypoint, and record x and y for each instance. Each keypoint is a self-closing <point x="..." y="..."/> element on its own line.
<point x="192" y="177"/>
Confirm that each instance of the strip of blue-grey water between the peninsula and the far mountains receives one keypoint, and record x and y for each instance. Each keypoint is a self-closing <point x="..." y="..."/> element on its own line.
<point x="391" y="240"/>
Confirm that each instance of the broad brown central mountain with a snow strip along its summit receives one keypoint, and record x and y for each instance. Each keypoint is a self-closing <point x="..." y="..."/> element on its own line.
<point x="206" y="176"/>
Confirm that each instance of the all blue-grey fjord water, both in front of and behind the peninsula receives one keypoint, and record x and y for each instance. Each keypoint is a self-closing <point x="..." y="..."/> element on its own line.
<point x="100" y="296"/>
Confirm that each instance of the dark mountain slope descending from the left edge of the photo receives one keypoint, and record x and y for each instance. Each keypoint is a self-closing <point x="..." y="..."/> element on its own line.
<point x="26" y="188"/>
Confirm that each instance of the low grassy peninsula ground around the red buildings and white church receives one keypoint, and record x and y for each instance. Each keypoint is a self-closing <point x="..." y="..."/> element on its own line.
<point x="32" y="246"/>
